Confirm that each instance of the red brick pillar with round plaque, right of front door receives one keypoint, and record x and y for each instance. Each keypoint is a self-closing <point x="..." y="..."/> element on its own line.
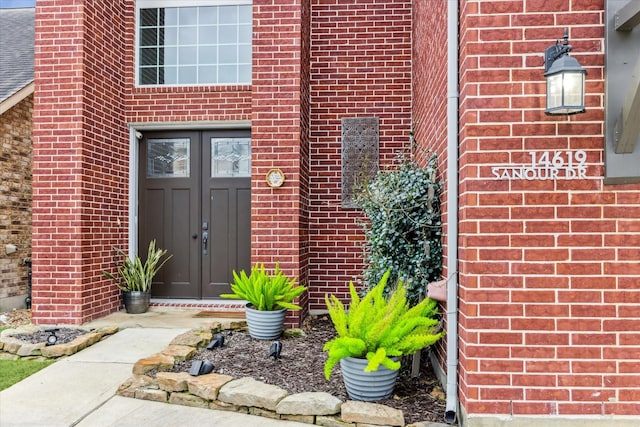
<point x="279" y="138"/>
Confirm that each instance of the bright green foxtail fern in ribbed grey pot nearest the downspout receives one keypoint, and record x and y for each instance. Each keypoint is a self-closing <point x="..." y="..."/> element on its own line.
<point x="373" y="335"/>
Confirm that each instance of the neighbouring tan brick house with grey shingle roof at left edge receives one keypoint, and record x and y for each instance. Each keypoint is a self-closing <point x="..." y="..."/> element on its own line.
<point x="16" y="111"/>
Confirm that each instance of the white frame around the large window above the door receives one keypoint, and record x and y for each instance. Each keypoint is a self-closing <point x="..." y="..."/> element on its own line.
<point x="145" y="4"/>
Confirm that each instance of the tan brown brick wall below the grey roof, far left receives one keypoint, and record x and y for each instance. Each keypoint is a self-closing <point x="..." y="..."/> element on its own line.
<point x="15" y="199"/>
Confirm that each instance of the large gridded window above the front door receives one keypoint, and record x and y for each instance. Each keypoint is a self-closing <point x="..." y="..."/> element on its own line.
<point x="194" y="45"/>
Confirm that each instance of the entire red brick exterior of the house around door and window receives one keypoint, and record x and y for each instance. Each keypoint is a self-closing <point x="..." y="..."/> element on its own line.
<point x="548" y="269"/>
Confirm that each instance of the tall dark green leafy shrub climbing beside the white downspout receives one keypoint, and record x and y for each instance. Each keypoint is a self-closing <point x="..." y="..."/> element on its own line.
<point x="403" y="231"/>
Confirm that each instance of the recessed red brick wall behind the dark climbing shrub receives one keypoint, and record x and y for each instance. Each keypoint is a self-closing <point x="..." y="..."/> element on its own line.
<point x="360" y="67"/>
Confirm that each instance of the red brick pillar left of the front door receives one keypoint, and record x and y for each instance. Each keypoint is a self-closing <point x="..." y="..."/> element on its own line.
<point x="80" y="159"/>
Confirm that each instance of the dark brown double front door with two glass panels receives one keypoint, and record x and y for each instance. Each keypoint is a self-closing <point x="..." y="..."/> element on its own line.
<point x="194" y="199"/>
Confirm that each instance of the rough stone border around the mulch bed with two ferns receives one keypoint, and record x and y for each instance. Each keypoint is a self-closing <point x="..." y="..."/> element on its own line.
<point x="245" y="395"/>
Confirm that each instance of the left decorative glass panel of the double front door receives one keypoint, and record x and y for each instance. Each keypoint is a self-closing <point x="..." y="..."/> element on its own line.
<point x="168" y="158"/>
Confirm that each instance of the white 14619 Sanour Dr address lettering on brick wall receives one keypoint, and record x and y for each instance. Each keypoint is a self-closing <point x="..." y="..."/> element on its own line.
<point x="546" y="165"/>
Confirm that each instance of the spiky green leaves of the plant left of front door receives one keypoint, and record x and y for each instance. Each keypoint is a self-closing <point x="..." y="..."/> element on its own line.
<point x="133" y="275"/>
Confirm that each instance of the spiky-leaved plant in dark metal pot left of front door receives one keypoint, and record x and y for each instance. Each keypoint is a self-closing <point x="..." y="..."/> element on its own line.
<point x="134" y="277"/>
